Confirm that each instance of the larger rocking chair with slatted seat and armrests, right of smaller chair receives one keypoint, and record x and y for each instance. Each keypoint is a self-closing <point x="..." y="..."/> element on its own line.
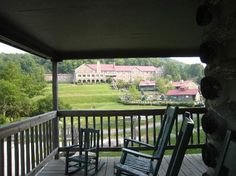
<point x="136" y="163"/>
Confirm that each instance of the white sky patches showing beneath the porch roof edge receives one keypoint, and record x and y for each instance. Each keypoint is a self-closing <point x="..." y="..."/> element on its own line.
<point x="188" y="60"/>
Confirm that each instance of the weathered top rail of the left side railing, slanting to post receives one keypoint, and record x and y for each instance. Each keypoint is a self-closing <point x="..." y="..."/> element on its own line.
<point x="16" y="127"/>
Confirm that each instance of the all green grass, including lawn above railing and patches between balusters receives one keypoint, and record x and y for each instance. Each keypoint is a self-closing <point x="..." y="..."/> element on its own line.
<point x="102" y="97"/>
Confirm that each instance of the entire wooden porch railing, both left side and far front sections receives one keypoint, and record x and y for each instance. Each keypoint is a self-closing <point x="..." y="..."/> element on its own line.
<point x="27" y="145"/>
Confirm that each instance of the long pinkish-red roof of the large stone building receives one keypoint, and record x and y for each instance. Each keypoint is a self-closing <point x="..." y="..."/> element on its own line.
<point x="124" y="68"/>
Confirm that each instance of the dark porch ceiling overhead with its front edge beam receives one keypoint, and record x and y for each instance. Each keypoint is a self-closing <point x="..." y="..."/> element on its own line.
<point x="62" y="29"/>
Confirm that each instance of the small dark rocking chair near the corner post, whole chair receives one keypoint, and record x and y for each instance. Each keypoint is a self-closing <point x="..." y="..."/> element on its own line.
<point x="88" y="157"/>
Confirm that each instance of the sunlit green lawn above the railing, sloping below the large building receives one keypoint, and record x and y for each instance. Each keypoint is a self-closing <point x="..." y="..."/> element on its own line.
<point x="92" y="96"/>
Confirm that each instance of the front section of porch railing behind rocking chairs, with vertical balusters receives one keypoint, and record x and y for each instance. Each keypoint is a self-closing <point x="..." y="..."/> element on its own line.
<point x="114" y="126"/>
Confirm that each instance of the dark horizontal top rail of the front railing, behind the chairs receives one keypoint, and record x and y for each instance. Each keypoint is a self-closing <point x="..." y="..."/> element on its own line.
<point x="123" y="112"/>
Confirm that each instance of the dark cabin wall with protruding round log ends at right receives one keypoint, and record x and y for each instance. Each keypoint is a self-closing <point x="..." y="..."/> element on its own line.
<point x="218" y="19"/>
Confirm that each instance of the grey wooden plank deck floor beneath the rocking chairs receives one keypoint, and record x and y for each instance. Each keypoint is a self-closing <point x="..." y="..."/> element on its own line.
<point x="192" y="165"/>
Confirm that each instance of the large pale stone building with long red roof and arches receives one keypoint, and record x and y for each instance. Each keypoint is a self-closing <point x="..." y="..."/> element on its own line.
<point x="102" y="72"/>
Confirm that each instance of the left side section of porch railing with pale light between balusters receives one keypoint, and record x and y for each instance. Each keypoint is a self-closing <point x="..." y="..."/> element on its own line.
<point x="27" y="145"/>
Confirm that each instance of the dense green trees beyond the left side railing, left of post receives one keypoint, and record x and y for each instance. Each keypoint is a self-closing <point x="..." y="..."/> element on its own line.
<point x="18" y="84"/>
